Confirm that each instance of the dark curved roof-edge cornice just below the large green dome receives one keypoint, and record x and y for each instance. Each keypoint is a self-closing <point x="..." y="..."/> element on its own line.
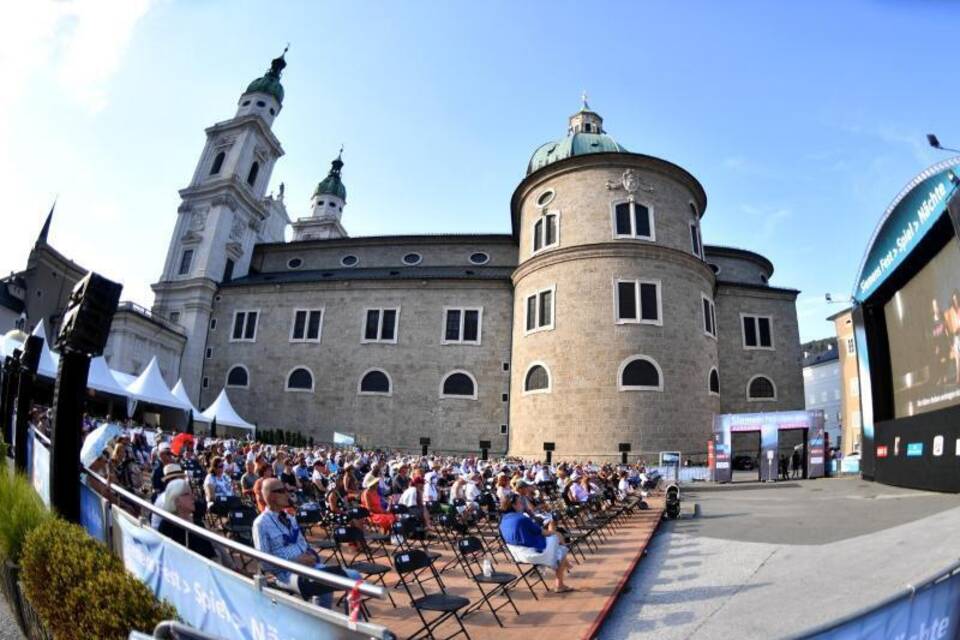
<point x="605" y="161"/>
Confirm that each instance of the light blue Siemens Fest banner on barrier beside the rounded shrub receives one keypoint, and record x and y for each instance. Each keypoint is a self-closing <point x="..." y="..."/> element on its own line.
<point x="211" y="598"/>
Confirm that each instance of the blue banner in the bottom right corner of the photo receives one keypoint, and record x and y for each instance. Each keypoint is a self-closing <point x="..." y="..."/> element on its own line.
<point x="932" y="613"/>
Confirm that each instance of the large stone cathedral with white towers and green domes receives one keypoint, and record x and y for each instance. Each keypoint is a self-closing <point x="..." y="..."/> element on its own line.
<point x="601" y="322"/>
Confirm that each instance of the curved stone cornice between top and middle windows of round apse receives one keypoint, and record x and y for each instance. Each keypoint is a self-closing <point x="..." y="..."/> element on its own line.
<point x="613" y="249"/>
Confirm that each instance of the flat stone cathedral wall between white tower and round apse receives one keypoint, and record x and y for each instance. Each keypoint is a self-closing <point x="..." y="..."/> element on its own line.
<point x="416" y="364"/>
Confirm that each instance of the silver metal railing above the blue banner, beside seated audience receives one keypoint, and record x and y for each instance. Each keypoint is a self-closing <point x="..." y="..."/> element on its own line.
<point x="259" y="581"/>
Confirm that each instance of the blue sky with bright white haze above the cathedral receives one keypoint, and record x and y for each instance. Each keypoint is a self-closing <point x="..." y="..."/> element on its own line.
<point x="802" y="120"/>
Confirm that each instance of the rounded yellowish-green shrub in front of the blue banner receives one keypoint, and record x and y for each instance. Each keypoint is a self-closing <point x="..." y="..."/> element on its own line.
<point x="81" y="590"/>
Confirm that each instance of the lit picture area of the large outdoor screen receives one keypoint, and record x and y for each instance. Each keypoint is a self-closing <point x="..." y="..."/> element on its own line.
<point x="923" y="329"/>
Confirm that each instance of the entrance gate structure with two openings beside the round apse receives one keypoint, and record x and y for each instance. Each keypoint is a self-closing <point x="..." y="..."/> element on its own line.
<point x="769" y="425"/>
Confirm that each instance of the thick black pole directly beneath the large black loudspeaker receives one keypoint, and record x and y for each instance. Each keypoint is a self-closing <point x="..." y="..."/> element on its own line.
<point x="69" y="402"/>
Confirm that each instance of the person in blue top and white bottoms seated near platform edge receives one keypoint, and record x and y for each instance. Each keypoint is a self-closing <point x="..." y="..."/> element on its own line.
<point x="528" y="543"/>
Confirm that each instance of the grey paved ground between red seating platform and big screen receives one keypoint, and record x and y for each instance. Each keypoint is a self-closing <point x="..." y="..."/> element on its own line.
<point x="770" y="560"/>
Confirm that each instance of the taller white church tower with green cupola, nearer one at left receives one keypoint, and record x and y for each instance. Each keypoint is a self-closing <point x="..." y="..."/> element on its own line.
<point x="223" y="213"/>
